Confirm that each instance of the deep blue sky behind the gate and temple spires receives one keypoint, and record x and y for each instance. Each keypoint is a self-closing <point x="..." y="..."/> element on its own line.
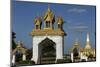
<point x="78" y="20"/>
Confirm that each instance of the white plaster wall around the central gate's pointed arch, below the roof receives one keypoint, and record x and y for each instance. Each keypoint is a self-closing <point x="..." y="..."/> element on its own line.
<point x="59" y="46"/>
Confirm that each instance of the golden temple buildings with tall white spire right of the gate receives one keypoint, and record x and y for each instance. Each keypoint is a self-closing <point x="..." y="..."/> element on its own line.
<point x="77" y="52"/>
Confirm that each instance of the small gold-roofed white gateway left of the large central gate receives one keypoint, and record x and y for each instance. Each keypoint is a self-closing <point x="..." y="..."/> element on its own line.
<point x="19" y="52"/>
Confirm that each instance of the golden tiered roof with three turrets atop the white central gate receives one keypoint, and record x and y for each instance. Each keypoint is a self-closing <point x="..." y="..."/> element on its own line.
<point x="49" y="16"/>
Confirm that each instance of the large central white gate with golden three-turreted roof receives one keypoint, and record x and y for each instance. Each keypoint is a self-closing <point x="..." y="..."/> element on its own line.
<point x="49" y="36"/>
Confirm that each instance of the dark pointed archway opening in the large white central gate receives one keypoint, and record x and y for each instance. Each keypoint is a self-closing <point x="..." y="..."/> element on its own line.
<point x="47" y="51"/>
